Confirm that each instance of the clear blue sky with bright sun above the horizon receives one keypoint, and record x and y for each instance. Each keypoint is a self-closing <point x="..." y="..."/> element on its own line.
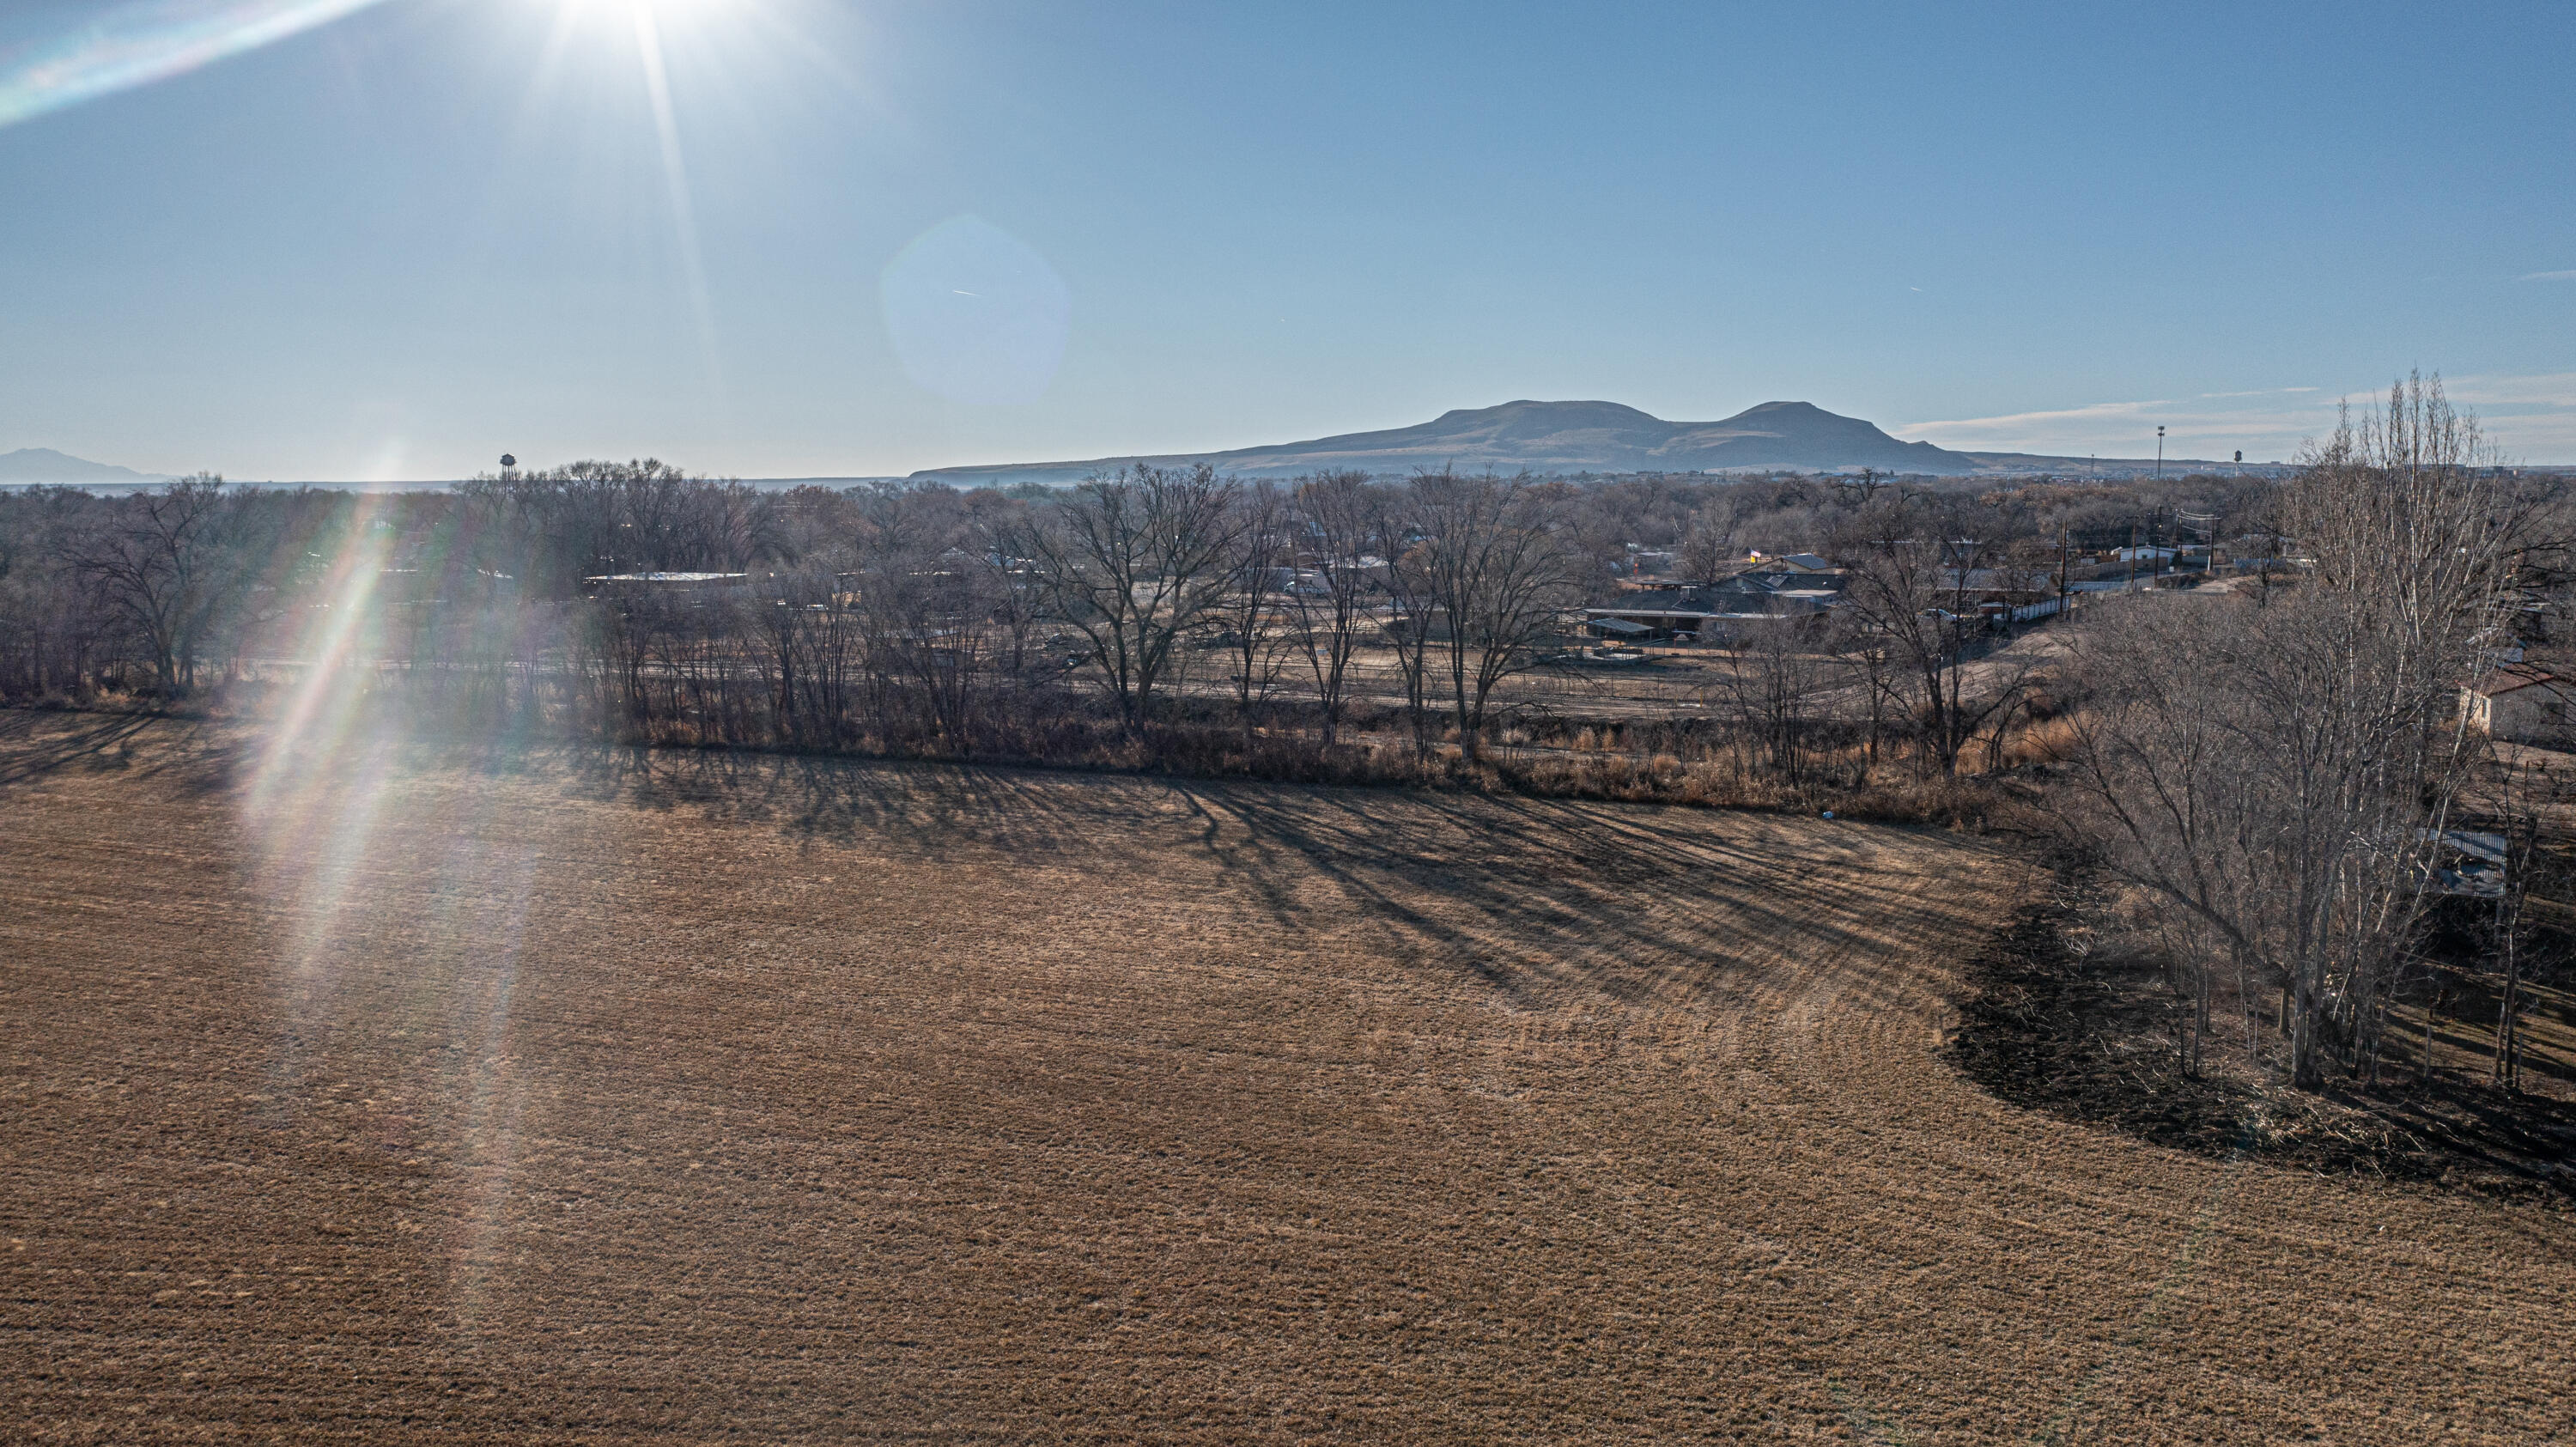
<point x="401" y="238"/>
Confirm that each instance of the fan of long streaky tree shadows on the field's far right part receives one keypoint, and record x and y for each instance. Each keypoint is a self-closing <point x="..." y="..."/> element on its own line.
<point x="1539" y="897"/>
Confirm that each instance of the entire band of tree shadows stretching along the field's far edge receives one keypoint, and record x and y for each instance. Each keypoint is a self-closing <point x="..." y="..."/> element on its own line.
<point x="1529" y="897"/>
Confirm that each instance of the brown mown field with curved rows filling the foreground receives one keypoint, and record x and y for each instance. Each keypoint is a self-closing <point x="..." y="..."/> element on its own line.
<point x="380" y="1096"/>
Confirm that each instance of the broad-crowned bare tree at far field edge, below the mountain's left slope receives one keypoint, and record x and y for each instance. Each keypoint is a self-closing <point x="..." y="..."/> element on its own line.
<point x="1135" y="563"/>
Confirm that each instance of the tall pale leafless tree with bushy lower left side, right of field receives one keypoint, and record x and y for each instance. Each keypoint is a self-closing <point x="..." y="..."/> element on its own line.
<point x="2276" y="771"/>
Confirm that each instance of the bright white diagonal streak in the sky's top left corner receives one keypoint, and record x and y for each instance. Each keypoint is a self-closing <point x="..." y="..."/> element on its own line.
<point x="138" y="45"/>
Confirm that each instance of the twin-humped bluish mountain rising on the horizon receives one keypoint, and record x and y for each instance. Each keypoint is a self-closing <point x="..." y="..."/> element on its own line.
<point x="1562" y="439"/>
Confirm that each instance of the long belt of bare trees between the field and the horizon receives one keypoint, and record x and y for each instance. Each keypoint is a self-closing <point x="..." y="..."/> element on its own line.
<point x="926" y="619"/>
